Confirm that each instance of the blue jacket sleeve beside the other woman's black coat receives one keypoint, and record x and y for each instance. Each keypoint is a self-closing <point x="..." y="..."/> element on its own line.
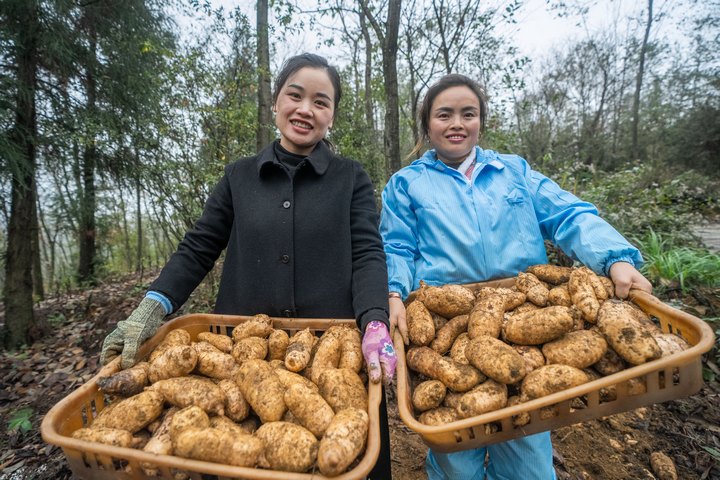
<point x="398" y="230"/>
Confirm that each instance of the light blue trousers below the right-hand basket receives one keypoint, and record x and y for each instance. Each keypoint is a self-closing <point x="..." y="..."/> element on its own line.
<point x="527" y="458"/>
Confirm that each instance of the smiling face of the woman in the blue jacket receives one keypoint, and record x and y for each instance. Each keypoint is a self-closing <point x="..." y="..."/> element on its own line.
<point x="454" y="126"/>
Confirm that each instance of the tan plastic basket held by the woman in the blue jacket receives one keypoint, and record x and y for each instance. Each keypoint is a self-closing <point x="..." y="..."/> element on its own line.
<point x="668" y="378"/>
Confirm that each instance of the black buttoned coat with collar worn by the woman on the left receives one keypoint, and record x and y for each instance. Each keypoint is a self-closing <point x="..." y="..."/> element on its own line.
<point x="298" y="246"/>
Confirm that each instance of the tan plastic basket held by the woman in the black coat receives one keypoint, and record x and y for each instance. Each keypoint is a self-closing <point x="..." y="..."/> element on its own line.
<point x="90" y="460"/>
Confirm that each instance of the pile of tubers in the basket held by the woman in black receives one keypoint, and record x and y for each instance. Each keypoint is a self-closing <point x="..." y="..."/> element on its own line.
<point x="260" y="398"/>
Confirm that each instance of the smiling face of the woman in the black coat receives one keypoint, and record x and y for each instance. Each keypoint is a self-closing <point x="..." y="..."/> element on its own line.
<point x="304" y="110"/>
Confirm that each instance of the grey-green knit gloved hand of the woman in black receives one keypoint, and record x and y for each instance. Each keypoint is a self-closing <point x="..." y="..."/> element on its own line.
<point x="131" y="333"/>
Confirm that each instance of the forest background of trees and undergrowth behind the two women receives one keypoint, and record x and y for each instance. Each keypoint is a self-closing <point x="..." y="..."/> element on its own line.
<point x="116" y="119"/>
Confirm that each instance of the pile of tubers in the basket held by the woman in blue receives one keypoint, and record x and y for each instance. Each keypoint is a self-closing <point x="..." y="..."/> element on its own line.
<point x="477" y="350"/>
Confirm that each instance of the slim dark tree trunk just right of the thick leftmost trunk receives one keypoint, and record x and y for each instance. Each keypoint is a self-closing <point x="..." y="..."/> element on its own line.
<point x="86" y="265"/>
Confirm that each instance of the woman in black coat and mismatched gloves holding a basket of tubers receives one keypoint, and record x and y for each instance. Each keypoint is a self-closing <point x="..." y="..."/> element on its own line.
<point x="300" y="230"/>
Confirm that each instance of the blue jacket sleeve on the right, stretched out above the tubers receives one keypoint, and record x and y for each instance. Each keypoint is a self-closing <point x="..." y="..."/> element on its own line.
<point x="575" y="226"/>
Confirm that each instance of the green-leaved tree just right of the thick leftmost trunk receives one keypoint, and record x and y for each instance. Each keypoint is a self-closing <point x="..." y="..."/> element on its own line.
<point x="122" y="50"/>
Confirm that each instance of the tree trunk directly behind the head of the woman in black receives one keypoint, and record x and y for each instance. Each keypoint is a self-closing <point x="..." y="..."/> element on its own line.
<point x="265" y="127"/>
